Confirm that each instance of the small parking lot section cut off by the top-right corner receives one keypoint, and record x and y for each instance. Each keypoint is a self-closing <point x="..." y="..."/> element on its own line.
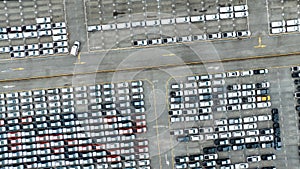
<point x="283" y="16"/>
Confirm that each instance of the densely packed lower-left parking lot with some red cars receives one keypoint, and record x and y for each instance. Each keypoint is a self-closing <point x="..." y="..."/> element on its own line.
<point x="97" y="126"/>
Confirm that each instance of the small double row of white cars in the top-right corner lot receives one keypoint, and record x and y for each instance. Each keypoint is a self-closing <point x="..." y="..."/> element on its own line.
<point x="292" y="25"/>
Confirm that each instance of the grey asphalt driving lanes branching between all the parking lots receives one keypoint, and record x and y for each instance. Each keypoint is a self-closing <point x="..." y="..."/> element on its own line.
<point x="158" y="64"/>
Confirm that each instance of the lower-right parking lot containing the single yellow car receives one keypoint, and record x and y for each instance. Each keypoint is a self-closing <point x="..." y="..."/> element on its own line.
<point x="208" y="136"/>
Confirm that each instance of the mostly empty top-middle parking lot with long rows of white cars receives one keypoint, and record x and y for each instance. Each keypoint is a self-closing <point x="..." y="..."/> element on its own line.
<point x="124" y="24"/>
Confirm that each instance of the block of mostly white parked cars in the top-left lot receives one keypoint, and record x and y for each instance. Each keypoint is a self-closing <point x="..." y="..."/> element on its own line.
<point x="44" y="27"/>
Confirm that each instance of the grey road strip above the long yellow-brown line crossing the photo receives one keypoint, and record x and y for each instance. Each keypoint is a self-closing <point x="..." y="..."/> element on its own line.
<point x="150" y="57"/>
